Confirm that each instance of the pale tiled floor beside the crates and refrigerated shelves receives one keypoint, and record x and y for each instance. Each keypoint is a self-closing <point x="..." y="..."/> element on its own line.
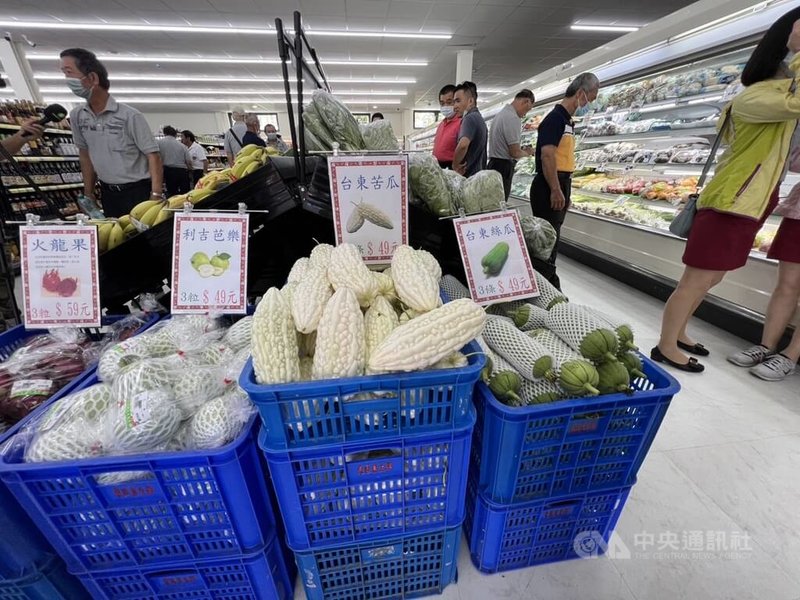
<point x="724" y="467"/>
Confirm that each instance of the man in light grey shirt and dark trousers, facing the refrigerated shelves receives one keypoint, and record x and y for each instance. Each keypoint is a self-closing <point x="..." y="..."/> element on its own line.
<point x="504" y="138"/>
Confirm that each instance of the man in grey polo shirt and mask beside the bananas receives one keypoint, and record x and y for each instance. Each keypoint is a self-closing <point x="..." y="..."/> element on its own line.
<point x="114" y="139"/>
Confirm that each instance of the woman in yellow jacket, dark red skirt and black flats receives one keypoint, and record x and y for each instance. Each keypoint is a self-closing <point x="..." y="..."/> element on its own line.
<point x="744" y="190"/>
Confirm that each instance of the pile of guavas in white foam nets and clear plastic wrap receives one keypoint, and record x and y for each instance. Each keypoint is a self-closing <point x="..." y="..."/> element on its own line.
<point x="172" y="389"/>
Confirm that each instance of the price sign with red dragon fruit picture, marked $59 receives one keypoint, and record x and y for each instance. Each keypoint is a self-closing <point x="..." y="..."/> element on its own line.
<point x="60" y="281"/>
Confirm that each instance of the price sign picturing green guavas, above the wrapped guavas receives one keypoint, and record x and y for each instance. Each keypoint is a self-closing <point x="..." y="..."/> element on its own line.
<point x="209" y="263"/>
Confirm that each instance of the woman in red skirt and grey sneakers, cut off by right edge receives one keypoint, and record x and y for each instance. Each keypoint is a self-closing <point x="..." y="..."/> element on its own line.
<point x="764" y="360"/>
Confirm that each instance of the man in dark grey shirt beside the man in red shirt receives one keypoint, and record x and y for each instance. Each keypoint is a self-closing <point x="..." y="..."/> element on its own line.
<point x="470" y="155"/>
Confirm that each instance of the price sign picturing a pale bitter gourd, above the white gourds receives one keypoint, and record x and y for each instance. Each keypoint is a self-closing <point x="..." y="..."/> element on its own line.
<point x="370" y="204"/>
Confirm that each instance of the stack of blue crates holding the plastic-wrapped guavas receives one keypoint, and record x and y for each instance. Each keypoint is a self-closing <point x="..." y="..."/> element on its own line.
<point x="159" y="525"/>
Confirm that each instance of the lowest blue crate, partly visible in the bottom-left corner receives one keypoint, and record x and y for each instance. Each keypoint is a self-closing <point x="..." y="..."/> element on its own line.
<point x="49" y="582"/>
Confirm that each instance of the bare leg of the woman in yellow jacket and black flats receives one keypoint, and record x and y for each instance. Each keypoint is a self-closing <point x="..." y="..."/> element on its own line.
<point x="691" y="289"/>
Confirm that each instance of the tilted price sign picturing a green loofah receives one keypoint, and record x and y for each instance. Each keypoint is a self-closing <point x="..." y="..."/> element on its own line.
<point x="495" y="257"/>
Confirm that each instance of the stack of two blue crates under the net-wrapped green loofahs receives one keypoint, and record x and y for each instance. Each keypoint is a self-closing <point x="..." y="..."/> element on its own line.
<point x="548" y="482"/>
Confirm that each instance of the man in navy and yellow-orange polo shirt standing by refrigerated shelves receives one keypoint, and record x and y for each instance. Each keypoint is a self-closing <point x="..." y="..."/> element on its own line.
<point x="555" y="162"/>
